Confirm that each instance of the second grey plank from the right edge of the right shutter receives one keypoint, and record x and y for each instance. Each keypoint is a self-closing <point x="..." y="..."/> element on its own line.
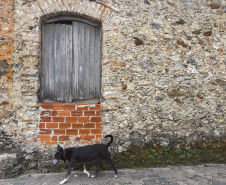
<point x="91" y="62"/>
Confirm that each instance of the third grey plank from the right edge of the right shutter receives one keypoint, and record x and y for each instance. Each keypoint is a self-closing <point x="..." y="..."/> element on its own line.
<point x="86" y="62"/>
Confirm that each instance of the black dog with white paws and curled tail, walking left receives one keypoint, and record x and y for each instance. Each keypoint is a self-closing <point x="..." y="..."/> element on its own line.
<point x="84" y="154"/>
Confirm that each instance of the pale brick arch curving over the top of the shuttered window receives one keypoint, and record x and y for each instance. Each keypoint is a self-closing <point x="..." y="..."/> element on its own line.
<point x="84" y="8"/>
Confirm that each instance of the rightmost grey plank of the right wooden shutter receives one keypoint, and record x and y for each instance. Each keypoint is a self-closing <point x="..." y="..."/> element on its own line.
<point x="97" y="75"/>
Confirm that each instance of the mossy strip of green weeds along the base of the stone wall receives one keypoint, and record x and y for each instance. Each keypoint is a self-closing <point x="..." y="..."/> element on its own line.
<point x="160" y="156"/>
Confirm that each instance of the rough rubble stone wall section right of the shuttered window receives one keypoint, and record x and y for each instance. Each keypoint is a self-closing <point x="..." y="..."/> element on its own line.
<point x="164" y="72"/>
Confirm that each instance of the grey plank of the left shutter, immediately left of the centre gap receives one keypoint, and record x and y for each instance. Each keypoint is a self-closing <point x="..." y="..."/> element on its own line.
<point x="68" y="87"/>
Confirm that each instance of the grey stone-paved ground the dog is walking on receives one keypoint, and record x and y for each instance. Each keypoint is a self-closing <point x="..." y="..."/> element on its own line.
<point x="185" y="175"/>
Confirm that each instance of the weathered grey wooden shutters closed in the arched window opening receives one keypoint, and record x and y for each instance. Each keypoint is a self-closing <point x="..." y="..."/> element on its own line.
<point x="71" y="61"/>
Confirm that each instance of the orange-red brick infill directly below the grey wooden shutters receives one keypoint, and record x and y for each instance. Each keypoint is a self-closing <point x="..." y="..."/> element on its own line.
<point x="70" y="123"/>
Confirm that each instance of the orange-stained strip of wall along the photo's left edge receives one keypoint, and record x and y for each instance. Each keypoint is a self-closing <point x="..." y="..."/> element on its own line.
<point x="6" y="52"/>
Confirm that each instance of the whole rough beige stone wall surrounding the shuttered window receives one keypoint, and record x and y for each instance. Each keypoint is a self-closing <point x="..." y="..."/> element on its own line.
<point x="163" y="70"/>
